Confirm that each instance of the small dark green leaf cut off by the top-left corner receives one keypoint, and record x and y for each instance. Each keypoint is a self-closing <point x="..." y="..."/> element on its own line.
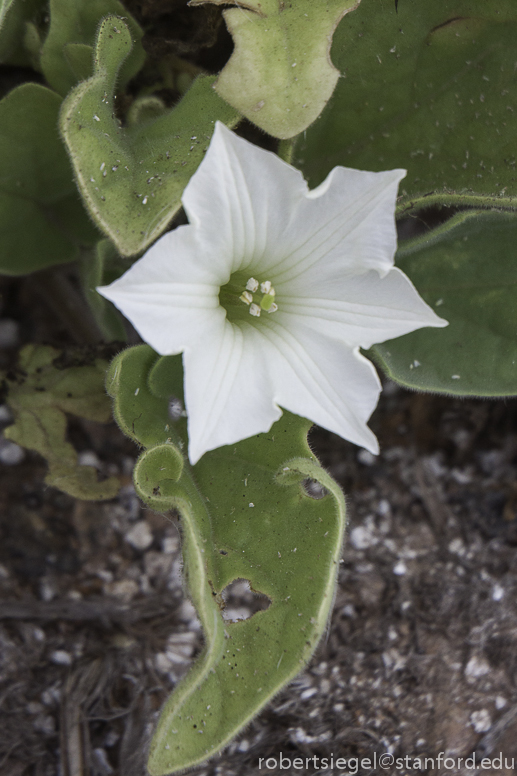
<point x="15" y="15"/>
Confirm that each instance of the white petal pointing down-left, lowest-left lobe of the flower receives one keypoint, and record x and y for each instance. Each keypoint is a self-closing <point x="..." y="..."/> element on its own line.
<point x="228" y="391"/>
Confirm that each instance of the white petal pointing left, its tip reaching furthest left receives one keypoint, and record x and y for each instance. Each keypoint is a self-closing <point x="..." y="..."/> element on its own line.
<point x="171" y="294"/>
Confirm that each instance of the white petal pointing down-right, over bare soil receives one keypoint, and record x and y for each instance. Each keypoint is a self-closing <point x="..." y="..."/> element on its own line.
<point x="325" y="381"/>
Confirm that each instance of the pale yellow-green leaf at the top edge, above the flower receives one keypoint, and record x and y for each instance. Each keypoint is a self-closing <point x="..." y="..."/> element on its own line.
<point x="280" y="75"/>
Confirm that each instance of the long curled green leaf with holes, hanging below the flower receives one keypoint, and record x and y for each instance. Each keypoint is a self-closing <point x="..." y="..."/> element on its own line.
<point x="245" y="514"/>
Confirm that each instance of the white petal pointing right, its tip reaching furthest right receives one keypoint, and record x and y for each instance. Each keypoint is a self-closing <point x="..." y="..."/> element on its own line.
<point x="358" y="310"/>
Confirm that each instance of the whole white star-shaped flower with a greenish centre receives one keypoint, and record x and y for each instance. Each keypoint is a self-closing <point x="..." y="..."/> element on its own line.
<point x="269" y="293"/>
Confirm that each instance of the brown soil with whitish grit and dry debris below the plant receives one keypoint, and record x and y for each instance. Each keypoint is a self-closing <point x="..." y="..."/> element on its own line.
<point x="419" y="657"/>
